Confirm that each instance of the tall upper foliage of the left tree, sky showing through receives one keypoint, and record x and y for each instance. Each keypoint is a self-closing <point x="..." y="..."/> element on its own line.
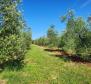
<point x="11" y="19"/>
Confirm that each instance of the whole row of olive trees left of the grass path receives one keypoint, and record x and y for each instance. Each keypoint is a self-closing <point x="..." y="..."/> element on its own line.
<point x="13" y="41"/>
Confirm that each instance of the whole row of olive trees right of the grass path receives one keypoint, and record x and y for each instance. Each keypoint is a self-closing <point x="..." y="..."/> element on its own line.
<point x="76" y="39"/>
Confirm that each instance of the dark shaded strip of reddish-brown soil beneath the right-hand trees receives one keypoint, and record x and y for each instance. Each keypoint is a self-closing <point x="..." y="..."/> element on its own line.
<point x="68" y="57"/>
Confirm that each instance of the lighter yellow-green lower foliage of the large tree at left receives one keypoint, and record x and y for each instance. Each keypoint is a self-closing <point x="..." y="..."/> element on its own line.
<point x="11" y="49"/>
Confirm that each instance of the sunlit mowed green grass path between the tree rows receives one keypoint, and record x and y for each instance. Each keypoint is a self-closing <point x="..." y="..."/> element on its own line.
<point x="43" y="68"/>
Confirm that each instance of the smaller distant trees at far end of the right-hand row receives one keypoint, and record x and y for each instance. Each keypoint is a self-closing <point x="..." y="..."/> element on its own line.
<point x="51" y="40"/>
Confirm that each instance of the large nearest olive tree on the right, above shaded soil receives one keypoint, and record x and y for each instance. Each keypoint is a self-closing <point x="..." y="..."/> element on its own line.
<point x="76" y="39"/>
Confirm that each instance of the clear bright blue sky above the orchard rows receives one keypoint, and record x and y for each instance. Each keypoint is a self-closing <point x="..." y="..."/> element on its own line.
<point x="40" y="14"/>
